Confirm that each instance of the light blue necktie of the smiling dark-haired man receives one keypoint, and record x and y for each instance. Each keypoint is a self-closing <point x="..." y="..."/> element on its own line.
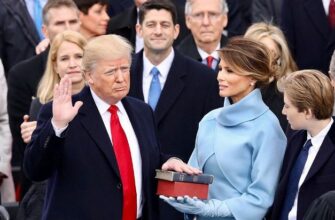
<point x="155" y="88"/>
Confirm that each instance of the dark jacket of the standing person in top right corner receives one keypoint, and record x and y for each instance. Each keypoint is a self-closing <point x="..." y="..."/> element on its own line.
<point x="308" y="33"/>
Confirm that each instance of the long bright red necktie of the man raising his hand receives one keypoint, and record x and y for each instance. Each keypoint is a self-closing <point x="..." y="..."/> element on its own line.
<point x="123" y="157"/>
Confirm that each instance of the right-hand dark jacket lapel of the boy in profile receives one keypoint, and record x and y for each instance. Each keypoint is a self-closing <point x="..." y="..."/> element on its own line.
<point x="327" y="149"/>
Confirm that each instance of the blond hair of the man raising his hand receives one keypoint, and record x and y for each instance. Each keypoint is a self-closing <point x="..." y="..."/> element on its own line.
<point x="105" y="46"/>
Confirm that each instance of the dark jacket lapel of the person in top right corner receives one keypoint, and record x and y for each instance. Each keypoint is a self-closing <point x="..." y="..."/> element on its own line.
<point x="316" y="11"/>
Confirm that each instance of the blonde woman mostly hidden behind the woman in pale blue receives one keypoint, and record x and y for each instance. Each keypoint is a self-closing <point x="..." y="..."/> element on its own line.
<point x="273" y="38"/>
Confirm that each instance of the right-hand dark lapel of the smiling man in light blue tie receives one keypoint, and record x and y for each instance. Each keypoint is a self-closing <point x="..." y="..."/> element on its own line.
<point x="174" y="85"/>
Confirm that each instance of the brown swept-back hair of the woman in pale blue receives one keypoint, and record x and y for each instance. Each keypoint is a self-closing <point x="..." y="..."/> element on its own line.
<point x="249" y="58"/>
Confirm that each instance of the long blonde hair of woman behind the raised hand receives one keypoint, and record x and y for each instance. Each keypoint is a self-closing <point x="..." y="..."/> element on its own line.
<point x="50" y="77"/>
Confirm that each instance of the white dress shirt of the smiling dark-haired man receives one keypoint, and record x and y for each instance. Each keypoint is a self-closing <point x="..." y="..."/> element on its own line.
<point x="163" y="67"/>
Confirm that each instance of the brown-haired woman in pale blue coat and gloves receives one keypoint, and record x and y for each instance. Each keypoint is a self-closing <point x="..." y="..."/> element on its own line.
<point x="241" y="144"/>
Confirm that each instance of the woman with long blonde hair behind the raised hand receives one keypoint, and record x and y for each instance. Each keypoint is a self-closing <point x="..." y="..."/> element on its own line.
<point x="64" y="57"/>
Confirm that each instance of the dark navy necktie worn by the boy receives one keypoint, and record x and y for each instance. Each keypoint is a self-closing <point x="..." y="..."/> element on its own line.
<point x="293" y="182"/>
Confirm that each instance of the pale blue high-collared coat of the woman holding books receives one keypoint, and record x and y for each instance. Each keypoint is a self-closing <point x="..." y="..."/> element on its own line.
<point x="243" y="146"/>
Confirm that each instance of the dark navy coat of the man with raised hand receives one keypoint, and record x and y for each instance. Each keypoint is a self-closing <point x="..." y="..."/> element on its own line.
<point x="84" y="180"/>
